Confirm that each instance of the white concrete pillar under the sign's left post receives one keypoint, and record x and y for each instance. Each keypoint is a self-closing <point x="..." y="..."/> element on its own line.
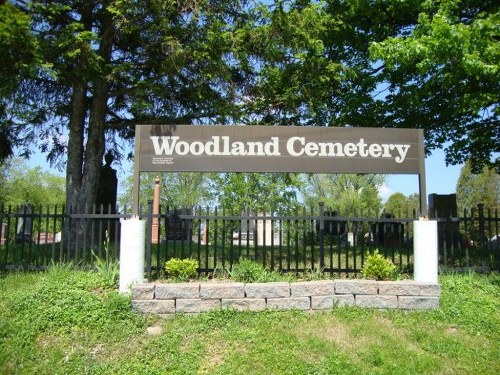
<point x="132" y="250"/>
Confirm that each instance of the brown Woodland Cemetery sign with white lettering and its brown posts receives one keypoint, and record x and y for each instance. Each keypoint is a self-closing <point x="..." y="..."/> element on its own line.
<point x="305" y="149"/>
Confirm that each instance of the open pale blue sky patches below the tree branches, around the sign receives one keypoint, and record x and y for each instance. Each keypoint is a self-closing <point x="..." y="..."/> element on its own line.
<point x="440" y="179"/>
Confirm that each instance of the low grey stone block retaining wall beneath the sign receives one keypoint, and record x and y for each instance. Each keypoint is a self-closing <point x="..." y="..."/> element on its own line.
<point x="198" y="297"/>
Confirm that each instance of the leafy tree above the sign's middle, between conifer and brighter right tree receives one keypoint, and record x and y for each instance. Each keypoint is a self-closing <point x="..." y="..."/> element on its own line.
<point x="313" y="61"/>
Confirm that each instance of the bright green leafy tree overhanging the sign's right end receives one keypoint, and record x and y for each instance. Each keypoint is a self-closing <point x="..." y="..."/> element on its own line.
<point x="443" y="75"/>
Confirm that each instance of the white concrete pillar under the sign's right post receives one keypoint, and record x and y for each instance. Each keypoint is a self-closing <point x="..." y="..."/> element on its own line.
<point x="425" y="247"/>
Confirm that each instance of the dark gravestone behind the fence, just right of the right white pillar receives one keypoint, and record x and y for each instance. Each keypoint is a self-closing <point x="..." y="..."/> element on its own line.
<point x="443" y="206"/>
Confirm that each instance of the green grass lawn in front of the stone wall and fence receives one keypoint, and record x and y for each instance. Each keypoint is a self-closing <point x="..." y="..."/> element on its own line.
<point x="65" y="322"/>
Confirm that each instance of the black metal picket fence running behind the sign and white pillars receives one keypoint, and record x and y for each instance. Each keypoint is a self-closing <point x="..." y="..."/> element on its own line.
<point x="298" y="240"/>
